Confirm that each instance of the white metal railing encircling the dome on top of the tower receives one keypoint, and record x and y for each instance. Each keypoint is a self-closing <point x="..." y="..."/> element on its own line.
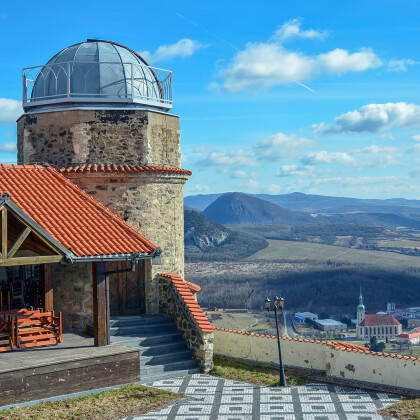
<point x="144" y="84"/>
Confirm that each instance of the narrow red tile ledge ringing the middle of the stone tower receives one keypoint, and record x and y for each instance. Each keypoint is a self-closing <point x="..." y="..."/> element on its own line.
<point x="125" y="169"/>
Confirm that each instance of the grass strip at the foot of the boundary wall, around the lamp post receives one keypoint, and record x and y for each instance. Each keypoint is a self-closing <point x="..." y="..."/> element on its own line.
<point x="255" y="374"/>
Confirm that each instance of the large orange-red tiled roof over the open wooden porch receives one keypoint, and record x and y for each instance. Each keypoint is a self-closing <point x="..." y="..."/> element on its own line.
<point x="68" y="214"/>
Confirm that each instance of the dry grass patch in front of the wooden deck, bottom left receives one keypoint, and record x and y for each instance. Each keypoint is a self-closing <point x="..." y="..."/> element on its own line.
<point x="129" y="400"/>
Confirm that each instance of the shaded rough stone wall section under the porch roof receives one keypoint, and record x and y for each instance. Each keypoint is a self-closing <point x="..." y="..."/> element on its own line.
<point x="73" y="295"/>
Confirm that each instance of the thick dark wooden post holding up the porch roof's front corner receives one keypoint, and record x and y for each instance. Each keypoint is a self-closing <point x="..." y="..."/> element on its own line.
<point x="100" y="327"/>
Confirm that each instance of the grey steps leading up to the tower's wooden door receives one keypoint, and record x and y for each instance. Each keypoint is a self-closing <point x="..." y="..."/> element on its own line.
<point x="163" y="352"/>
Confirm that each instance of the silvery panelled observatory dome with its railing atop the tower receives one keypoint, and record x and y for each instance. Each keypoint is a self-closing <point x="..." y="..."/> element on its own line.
<point x="97" y="72"/>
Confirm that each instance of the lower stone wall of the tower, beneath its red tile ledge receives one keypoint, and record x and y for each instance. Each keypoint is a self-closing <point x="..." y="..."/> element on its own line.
<point x="156" y="202"/>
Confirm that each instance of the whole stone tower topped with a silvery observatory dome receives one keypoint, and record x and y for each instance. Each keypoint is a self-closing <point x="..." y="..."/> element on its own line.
<point x="100" y="114"/>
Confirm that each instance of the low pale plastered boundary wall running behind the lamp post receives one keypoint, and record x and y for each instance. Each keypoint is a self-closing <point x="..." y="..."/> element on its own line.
<point x="354" y="365"/>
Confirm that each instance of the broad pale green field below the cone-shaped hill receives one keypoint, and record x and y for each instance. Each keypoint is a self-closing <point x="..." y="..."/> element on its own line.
<point x="299" y="251"/>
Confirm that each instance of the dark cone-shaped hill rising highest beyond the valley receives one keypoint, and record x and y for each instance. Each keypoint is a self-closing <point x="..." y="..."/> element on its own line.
<point x="241" y="209"/>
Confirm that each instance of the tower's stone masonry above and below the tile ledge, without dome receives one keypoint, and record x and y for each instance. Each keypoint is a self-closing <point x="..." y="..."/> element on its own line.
<point x="119" y="137"/>
